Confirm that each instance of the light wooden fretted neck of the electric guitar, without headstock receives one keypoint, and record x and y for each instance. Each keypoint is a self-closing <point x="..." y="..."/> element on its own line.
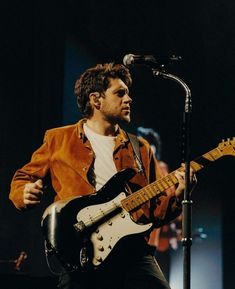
<point x="156" y="188"/>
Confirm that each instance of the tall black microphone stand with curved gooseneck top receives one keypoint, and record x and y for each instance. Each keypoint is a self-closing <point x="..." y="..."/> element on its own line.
<point x="187" y="202"/>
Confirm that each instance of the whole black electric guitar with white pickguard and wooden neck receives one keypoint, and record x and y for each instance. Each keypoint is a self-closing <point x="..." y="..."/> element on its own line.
<point x="82" y="231"/>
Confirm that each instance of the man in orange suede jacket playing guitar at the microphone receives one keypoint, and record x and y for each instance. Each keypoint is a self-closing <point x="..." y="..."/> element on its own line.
<point x="81" y="158"/>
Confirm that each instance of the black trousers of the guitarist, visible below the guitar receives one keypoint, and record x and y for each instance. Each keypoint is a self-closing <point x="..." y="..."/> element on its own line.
<point x="140" y="272"/>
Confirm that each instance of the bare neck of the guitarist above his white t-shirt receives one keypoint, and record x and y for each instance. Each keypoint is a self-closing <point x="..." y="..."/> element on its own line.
<point x="102" y="127"/>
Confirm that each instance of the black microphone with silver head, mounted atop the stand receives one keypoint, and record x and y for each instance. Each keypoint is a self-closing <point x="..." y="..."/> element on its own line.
<point x="150" y="60"/>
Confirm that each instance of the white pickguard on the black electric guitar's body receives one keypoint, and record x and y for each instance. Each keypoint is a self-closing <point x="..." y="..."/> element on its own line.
<point x="110" y="232"/>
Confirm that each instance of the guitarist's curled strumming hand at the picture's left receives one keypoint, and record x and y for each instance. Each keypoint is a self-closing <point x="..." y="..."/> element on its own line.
<point x="32" y="193"/>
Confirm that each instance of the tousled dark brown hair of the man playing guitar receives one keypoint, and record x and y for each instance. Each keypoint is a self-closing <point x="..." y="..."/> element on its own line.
<point x="96" y="79"/>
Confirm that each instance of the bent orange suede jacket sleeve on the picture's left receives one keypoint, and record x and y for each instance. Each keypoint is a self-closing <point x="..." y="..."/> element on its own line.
<point x="36" y="169"/>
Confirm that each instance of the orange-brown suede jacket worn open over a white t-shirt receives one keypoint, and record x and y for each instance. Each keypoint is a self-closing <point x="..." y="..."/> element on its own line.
<point x="67" y="155"/>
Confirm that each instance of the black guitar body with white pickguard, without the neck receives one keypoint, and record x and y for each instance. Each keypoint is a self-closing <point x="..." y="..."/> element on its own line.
<point x="82" y="231"/>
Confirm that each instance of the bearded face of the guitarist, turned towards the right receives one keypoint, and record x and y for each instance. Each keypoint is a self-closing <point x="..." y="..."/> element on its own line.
<point x="115" y="104"/>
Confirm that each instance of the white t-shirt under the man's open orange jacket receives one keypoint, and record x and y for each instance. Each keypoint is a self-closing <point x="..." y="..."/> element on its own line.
<point x="103" y="146"/>
